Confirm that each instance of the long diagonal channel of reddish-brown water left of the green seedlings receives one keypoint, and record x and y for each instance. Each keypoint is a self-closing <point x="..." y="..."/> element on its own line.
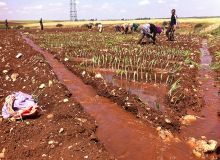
<point x="123" y="135"/>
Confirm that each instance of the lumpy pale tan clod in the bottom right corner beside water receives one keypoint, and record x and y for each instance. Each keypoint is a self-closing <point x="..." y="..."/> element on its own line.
<point x="201" y="147"/>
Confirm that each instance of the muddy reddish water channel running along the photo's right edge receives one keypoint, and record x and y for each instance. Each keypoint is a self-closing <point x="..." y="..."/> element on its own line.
<point x="209" y="123"/>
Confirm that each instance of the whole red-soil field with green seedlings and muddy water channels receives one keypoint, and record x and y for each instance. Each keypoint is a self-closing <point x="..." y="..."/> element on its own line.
<point x="130" y="100"/>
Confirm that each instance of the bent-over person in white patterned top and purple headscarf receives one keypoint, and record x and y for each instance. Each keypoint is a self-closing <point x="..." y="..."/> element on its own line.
<point x="150" y="31"/>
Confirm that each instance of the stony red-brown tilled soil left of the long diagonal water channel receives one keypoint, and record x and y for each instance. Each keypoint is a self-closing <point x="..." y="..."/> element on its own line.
<point x="63" y="130"/>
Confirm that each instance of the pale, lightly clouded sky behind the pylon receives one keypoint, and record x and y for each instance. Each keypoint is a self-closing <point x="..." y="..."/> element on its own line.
<point x="106" y="9"/>
